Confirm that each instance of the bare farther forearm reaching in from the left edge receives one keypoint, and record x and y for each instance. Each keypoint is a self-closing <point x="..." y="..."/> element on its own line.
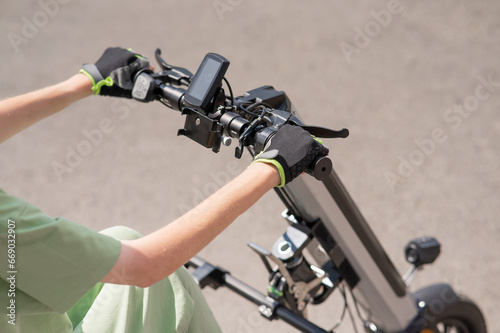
<point x="18" y="113"/>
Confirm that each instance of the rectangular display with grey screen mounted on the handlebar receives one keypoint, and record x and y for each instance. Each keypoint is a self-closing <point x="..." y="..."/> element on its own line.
<point x="206" y="81"/>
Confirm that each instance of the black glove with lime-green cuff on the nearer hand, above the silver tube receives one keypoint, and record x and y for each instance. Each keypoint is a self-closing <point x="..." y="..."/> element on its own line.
<point x="292" y="150"/>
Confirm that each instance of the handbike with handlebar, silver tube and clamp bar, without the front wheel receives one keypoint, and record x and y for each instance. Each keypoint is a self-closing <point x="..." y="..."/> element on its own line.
<point x="328" y="240"/>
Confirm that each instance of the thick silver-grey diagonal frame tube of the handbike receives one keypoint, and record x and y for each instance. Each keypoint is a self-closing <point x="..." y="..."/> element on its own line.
<point x="371" y="276"/>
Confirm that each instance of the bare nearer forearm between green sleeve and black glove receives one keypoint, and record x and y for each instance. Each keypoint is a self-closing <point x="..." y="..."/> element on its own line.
<point x="164" y="251"/>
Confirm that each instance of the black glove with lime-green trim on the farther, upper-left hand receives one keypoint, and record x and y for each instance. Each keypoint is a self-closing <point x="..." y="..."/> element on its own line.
<point x="113" y="74"/>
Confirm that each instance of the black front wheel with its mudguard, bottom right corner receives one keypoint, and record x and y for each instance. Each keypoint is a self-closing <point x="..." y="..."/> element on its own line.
<point x="449" y="312"/>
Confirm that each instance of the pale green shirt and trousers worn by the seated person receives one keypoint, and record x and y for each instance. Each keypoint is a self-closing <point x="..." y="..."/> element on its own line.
<point x="53" y="283"/>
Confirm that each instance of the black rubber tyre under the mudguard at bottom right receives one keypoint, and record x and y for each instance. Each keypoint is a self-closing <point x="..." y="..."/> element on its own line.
<point x="462" y="316"/>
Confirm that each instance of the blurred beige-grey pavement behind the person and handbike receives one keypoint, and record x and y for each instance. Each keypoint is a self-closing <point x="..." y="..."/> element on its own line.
<point x="416" y="83"/>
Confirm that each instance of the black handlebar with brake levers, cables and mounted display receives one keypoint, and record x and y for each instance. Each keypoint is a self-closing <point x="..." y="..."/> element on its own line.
<point x="212" y="118"/>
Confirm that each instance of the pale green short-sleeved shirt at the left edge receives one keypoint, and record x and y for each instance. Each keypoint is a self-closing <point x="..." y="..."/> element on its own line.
<point x="53" y="263"/>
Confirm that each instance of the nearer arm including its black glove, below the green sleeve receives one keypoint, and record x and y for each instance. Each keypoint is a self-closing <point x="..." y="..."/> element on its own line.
<point x="145" y="261"/>
